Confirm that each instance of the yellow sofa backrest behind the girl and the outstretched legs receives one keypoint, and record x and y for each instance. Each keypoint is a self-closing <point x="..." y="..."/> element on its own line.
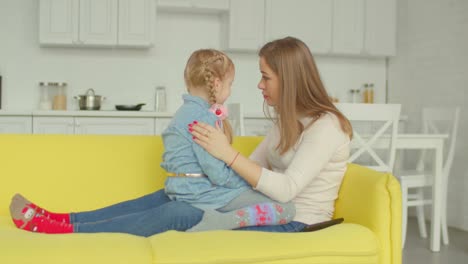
<point x="83" y="172"/>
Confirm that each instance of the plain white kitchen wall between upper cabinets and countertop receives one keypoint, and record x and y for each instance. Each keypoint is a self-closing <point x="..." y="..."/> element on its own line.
<point x="129" y="76"/>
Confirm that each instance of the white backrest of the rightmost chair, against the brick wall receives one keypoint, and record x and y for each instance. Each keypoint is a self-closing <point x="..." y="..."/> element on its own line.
<point x="442" y="120"/>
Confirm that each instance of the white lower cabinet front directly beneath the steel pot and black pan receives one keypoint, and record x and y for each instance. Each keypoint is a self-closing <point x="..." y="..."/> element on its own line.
<point x="114" y="125"/>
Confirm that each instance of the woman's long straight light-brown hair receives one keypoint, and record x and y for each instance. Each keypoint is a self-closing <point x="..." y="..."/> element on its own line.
<point x="301" y="91"/>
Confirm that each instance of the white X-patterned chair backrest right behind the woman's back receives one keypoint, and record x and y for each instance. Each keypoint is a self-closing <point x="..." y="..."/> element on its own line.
<point x="375" y="128"/>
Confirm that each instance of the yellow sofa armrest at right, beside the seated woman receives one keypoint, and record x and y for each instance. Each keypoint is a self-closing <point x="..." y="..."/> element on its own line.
<point x="373" y="199"/>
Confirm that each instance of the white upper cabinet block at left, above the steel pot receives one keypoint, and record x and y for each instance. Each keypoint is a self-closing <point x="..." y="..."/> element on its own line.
<point x="96" y="22"/>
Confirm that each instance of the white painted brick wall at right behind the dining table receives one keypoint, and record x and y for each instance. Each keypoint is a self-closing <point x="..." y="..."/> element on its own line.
<point x="431" y="68"/>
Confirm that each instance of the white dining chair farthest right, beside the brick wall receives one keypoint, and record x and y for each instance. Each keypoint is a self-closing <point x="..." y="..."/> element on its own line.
<point x="435" y="120"/>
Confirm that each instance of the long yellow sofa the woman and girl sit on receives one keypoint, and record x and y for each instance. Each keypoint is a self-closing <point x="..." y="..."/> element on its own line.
<point x="75" y="173"/>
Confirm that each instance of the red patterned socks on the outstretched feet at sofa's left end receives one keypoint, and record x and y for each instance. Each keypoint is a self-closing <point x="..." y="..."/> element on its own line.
<point x="28" y="219"/>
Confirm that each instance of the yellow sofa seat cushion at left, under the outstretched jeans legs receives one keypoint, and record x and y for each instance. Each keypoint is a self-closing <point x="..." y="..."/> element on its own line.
<point x="19" y="246"/>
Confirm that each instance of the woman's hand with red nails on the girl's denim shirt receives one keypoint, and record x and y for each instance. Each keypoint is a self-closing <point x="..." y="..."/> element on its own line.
<point x="213" y="140"/>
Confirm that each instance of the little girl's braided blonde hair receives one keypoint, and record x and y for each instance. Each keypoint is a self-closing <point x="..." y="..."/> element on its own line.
<point x="201" y="70"/>
